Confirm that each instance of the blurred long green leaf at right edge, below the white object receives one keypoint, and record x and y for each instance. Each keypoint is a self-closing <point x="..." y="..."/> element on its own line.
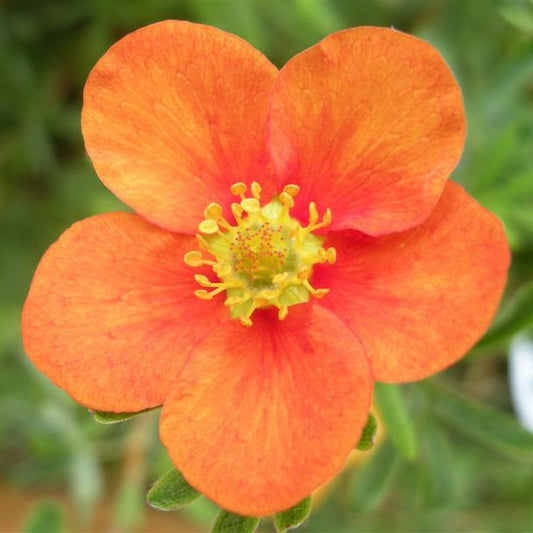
<point x="497" y="430"/>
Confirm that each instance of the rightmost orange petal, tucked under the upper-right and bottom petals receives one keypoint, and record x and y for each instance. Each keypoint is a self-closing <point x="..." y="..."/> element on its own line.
<point x="420" y="299"/>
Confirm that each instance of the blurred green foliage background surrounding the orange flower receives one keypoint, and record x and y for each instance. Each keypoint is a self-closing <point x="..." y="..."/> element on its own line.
<point x="454" y="456"/>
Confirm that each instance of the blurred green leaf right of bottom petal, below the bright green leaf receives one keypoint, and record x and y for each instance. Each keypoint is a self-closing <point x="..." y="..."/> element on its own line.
<point x="371" y="481"/>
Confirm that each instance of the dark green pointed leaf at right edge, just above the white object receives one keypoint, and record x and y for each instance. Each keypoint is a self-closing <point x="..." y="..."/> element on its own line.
<point x="517" y="316"/>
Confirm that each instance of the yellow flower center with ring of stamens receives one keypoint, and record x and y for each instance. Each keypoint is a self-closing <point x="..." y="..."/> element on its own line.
<point x="265" y="259"/>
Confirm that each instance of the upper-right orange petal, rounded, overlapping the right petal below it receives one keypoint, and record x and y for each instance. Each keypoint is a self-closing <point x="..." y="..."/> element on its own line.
<point x="370" y="123"/>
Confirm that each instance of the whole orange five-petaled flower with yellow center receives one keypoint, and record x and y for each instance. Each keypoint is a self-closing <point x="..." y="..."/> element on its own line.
<point x="290" y="227"/>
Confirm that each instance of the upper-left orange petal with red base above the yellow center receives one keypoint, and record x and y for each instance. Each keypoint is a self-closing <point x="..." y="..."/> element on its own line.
<point x="173" y="114"/>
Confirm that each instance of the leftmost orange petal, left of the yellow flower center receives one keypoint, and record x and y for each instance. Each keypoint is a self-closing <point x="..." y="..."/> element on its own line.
<point x="111" y="315"/>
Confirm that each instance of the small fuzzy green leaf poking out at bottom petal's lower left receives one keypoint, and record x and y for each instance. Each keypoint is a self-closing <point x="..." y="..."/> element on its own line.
<point x="171" y="492"/>
